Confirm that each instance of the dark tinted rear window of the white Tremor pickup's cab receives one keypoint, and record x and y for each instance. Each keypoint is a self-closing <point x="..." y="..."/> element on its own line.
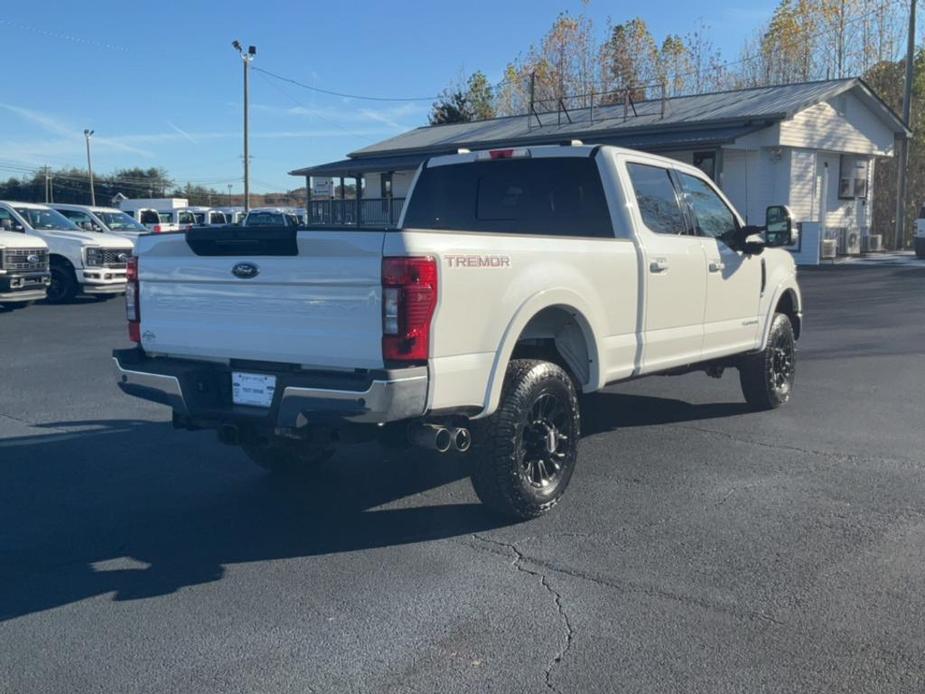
<point x="560" y="196"/>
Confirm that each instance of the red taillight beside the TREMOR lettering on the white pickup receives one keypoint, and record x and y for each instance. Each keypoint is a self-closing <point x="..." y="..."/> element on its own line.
<point x="409" y="298"/>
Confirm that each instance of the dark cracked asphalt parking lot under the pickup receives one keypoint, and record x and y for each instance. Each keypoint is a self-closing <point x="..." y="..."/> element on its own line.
<point x="701" y="547"/>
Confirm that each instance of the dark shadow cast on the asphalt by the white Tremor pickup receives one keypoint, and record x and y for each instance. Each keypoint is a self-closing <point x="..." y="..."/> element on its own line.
<point x="137" y="509"/>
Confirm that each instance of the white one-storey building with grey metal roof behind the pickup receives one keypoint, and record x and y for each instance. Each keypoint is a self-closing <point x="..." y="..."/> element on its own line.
<point x="812" y="146"/>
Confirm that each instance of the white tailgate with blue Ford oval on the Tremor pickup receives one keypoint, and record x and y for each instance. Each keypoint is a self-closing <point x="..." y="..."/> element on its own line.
<point x="314" y="301"/>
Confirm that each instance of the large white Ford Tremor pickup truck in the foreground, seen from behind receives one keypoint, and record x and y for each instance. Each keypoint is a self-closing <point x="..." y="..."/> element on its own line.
<point x="516" y="280"/>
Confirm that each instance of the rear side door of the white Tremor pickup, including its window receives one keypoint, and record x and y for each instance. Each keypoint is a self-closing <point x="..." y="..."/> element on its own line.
<point x="674" y="270"/>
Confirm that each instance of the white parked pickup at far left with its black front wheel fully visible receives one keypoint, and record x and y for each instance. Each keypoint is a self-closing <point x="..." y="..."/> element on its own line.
<point x="80" y="261"/>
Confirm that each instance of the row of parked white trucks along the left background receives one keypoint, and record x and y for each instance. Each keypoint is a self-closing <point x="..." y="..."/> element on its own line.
<point x="57" y="251"/>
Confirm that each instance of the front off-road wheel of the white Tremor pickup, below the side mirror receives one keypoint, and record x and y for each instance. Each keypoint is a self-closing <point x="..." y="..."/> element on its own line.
<point x="767" y="376"/>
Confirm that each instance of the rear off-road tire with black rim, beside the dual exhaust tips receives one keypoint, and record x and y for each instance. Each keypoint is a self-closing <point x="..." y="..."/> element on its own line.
<point x="513" y="447"/>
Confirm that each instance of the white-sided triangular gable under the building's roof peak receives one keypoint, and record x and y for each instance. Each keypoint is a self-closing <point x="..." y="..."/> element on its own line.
<point x="844" y="124"/>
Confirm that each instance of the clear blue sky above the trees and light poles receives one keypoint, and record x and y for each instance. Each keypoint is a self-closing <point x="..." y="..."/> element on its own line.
<point x="161" y="85"/>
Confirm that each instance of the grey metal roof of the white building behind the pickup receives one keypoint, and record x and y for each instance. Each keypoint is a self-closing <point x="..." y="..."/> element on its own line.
<point x="698" y="119"/>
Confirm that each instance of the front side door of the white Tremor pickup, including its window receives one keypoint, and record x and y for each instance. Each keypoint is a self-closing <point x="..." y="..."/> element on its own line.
<point x="733" y="277"/>
